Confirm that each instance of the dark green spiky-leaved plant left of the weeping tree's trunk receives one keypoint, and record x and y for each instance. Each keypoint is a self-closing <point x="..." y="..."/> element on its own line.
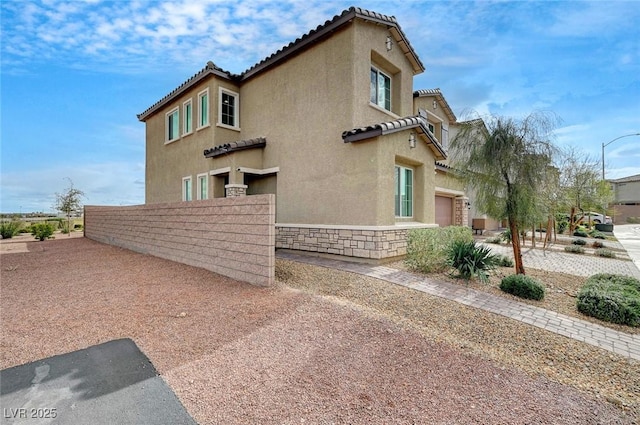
<point x="471" y="260"/>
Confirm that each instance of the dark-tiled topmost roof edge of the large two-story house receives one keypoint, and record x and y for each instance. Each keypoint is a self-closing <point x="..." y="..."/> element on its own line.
<point x="295" y="47"/>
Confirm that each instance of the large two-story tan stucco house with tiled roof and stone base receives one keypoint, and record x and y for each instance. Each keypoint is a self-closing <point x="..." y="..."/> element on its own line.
<point x="330" y="124"/>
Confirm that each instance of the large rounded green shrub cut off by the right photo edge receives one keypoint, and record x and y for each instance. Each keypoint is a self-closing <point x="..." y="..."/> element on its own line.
<point x="612" y="298"/>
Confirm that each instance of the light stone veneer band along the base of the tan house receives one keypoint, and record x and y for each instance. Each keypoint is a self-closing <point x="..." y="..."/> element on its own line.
<point x="358" y="241"/>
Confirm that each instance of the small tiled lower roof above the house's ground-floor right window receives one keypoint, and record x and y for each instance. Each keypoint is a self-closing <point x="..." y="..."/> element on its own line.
<point x="389" y="127"/>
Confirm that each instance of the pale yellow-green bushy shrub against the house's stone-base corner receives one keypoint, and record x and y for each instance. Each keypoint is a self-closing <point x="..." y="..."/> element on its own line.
<point x="427" y="248"/>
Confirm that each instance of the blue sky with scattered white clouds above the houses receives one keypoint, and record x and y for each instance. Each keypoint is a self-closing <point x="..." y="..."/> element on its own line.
<point x="75" y="74"/>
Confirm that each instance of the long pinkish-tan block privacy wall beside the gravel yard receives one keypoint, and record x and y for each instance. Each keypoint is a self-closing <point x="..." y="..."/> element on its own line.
<point x="234" y="237"/>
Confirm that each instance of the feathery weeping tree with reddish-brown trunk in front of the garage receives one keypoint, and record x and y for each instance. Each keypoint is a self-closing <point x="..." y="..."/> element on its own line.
<point x="506" y="161"/>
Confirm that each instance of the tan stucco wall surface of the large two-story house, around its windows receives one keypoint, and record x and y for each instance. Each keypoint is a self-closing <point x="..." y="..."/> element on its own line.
<point x="301" y="107"/>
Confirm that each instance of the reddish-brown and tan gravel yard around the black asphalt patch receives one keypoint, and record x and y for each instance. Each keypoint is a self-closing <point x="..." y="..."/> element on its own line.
<point x="322" y="346"/>
